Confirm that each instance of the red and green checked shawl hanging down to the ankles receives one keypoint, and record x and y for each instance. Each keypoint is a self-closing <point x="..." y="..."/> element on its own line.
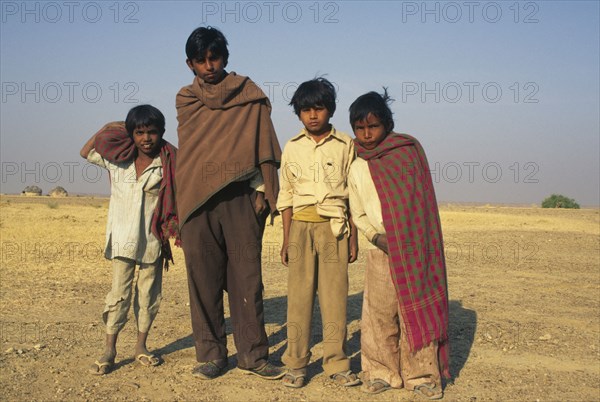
<point x="411" y="219"/>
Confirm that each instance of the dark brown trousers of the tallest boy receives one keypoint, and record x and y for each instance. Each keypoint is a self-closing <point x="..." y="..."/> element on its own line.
<point x="222" y="246"/>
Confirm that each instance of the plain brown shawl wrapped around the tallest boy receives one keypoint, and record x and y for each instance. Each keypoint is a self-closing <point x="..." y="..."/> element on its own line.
<point x="225" y="131"/>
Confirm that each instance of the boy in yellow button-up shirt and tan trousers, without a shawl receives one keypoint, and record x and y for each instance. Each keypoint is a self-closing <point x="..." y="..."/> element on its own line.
<point x="313" y="204"/>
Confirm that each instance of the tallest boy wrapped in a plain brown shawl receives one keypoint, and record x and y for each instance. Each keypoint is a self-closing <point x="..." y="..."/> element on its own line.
<point x="227" y="184"/>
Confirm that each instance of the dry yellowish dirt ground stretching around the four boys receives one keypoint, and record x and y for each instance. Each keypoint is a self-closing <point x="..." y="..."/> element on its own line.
<point x="524" y="289"/>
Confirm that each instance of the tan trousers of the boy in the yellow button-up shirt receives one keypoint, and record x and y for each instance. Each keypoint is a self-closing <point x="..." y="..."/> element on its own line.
<point x="318" y="263"/>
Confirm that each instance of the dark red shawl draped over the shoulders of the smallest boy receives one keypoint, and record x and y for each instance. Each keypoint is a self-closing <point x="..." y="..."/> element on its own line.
<point x="113" y="143"/>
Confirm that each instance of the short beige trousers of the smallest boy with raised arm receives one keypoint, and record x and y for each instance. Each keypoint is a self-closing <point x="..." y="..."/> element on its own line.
<point x="148" y="294"/>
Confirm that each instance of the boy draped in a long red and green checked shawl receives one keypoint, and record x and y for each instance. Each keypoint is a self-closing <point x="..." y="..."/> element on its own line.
<point x="404" y="322"/>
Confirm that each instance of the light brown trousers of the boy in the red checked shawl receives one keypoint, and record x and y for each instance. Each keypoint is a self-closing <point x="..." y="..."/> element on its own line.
<point x="385" y="353"/>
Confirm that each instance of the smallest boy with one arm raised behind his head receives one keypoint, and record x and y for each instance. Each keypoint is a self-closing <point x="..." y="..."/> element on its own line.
<point x="141" y="218"/>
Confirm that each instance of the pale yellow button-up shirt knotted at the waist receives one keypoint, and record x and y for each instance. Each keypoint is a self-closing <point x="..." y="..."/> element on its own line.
<point x="316" y="174"/>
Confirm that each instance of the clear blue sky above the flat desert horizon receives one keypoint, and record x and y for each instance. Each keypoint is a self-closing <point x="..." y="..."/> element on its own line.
<point x="503" y="95"/>
